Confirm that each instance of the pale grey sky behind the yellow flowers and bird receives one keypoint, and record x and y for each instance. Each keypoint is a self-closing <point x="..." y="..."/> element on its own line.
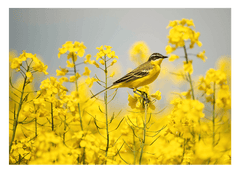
<point x="42" y="31"/>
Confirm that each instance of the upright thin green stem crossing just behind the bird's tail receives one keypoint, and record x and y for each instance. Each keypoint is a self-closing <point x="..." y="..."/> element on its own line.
<point x="106" y="106"/>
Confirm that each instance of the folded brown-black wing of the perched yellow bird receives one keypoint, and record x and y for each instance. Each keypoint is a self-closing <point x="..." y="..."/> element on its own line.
<point x="139" y="72"/>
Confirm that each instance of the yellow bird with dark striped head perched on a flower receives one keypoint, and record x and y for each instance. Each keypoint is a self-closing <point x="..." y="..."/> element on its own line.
<point x="144" y="74"/>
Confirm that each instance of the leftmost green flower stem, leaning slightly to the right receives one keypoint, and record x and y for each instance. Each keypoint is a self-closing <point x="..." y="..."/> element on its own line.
<point x="16" y="117"/>
